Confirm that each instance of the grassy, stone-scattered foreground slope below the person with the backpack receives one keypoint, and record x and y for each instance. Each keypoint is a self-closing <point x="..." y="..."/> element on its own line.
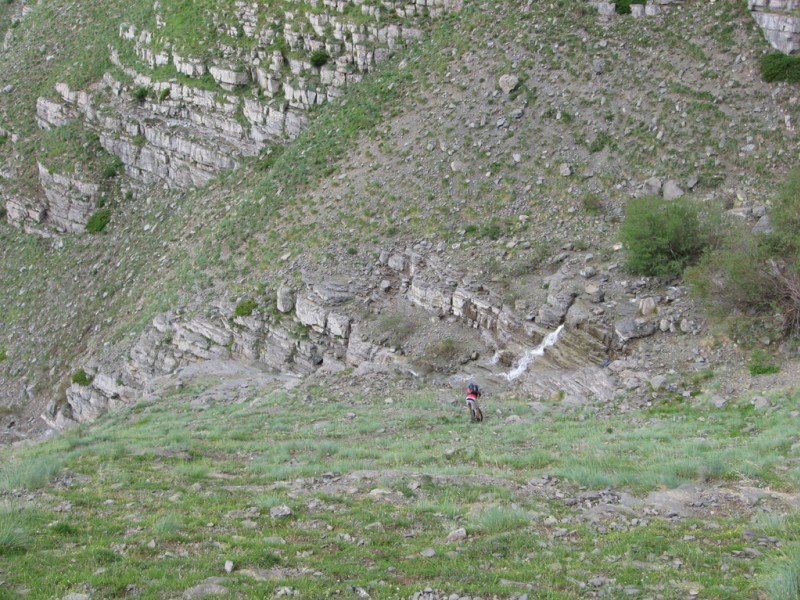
<point x="158" y="497"/>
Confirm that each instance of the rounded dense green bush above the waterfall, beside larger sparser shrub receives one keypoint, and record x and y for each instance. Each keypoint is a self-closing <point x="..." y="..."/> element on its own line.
<point x="662" y="237"/>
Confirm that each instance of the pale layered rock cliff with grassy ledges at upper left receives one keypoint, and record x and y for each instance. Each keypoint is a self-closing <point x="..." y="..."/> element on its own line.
<point x="214" y="110"/>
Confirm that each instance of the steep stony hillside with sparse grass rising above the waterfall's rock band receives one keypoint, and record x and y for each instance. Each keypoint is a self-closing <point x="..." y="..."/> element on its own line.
<point x="504" y="141"/>
